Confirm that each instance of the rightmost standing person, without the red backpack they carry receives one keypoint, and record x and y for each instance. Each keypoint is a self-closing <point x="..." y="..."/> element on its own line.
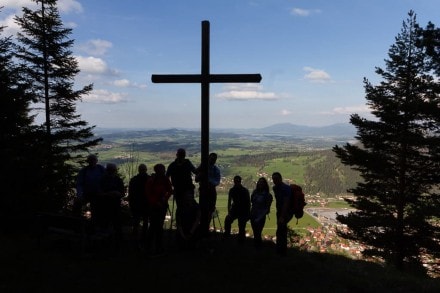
<point x="283" y="195"/>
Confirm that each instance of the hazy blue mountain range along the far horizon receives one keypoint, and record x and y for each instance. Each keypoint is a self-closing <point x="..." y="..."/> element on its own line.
<point x="343" y="130"/>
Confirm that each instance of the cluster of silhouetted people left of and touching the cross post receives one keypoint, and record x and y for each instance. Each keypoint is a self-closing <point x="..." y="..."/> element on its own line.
<point x="148" y="197"/>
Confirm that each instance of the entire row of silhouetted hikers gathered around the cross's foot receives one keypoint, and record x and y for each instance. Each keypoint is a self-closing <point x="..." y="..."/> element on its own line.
<point x="148" y="197"/>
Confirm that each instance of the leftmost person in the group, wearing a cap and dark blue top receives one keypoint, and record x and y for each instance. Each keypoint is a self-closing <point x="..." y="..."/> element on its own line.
<point x="88" y="185"/>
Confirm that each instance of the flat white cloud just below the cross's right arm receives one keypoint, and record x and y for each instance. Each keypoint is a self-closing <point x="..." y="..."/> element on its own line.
<point x="245" y="92"/>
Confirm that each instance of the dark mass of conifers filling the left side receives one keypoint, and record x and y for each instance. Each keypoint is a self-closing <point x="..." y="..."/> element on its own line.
<point x="42" y="70"/>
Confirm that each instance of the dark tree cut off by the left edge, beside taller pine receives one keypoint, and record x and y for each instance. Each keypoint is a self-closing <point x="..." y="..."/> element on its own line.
<point x="15" y="131"/>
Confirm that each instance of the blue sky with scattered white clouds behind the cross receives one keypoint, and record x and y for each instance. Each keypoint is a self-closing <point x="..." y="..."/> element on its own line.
<point x="312" y="55"/>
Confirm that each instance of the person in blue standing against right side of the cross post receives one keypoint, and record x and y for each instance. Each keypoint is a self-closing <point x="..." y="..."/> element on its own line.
<point x="208" y="201"/>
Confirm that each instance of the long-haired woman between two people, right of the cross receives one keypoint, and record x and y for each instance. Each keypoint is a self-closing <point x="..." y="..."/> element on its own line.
<point x="261" y="200"/>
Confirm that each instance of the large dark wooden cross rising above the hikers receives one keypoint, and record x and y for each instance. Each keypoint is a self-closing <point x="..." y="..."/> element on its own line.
<point x="205" y="79"/>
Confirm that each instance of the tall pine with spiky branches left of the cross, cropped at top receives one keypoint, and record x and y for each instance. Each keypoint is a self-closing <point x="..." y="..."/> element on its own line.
<point x="45" y="50"/>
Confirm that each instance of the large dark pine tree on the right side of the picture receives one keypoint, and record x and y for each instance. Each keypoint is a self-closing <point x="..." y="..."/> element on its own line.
<point x="397" y="154"/>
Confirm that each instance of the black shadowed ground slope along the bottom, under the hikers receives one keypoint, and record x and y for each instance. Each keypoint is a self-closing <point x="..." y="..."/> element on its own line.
<point x="217" y="266"/>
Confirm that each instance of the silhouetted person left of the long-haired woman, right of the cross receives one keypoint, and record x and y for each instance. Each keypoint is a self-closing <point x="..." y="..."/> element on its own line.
<point x="239" y="205"/>
